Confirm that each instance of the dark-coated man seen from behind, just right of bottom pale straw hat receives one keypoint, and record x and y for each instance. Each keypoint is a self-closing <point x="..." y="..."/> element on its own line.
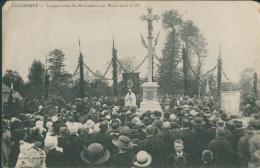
<point x="154" y="146"/>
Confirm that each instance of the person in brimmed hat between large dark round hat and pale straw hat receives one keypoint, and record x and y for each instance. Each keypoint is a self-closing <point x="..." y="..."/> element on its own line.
<point x="124" y="157"/>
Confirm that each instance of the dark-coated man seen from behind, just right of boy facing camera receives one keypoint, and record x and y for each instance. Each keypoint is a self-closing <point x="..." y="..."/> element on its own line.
<point x="191" y="141"/>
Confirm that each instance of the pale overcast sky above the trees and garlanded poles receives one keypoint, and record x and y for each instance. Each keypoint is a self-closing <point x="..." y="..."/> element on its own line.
<point x="30" y="33"/>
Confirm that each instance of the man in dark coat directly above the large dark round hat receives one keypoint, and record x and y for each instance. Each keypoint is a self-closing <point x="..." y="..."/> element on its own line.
<point x="103" y="137"/>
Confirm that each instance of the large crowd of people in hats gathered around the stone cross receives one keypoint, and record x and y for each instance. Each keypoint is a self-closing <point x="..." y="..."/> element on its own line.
<point x="97" y="132"/>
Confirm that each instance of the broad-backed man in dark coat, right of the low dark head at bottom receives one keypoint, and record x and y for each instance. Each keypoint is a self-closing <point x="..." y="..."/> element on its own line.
<point x="221" y="149"/>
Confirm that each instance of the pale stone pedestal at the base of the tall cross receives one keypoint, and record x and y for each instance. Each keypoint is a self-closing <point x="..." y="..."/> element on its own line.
<point x="150" y="101"/>
